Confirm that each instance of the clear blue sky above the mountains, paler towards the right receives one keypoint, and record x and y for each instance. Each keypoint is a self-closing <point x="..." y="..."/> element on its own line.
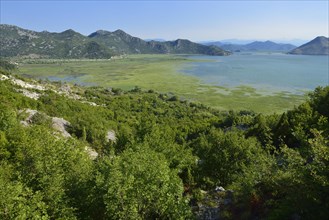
<point x="194" y="20"/>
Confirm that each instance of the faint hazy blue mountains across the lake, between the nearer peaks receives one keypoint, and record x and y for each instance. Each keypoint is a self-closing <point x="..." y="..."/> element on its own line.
<point x="254" y="46"/>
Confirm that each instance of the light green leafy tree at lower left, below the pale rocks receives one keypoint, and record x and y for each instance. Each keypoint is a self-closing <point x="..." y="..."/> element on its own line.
<point x="50" y="168"/>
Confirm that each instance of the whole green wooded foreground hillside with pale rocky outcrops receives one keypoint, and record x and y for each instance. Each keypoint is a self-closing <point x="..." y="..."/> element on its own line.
<point x="69" y="152"/>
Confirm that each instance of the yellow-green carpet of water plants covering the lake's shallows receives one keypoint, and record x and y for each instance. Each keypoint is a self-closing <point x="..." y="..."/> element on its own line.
<point x="160" y="73"/>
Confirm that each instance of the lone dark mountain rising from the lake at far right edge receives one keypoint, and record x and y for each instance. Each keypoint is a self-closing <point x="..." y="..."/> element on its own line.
<point x="318" y="46"/>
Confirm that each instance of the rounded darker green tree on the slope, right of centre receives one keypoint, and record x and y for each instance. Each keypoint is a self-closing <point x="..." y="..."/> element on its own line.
<point x="224" y="155"/>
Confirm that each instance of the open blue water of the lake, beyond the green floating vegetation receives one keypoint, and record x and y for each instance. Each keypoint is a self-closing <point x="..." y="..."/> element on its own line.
<point x="267" y="72"/>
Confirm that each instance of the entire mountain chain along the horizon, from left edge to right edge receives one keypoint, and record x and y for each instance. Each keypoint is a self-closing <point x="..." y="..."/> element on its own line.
<point x="16" y="41"/>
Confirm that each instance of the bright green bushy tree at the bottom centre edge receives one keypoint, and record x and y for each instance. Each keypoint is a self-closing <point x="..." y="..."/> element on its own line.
<point x="140" y="185"/>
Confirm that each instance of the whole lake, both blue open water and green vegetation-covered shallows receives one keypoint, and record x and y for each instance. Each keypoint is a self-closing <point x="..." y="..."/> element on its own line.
<point x="260" y="82"/>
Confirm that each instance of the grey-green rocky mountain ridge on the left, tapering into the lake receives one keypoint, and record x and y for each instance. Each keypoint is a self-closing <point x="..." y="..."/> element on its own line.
<point x="16" y="41"/>
